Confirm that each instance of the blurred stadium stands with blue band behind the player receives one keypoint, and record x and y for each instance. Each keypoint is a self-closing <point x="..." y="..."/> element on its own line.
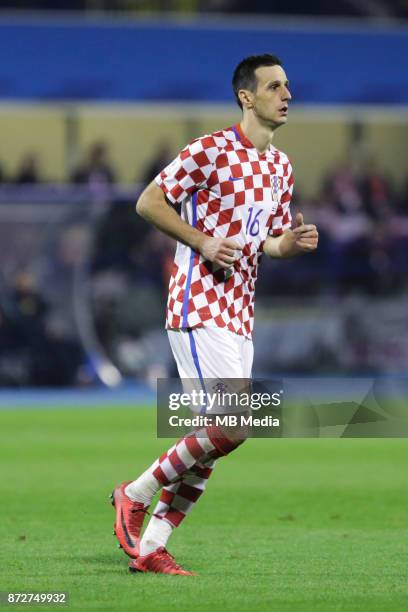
<point x="94" y="102"/>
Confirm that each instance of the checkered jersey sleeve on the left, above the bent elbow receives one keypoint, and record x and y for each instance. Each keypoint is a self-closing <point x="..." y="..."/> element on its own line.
<point x="189" y="171"/>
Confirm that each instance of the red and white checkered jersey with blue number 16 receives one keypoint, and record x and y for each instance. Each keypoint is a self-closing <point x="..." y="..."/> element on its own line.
<point x="225" y="188"/>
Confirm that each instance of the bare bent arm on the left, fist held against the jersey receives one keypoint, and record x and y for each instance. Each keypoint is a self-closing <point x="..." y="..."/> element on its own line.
<point x="153" y="206"/>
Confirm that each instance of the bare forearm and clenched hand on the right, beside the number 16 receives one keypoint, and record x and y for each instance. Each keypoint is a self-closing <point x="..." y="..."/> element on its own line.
<point x="302" y="239"/>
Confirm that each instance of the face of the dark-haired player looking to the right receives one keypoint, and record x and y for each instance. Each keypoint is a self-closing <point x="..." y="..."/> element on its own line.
<point x="272" y="96"/>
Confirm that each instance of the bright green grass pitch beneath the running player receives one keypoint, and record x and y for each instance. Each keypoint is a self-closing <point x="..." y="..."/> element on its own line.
<point x="285" y="524"/>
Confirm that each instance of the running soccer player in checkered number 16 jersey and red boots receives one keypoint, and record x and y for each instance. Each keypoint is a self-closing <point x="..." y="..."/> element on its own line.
<point x="225" y="199"/>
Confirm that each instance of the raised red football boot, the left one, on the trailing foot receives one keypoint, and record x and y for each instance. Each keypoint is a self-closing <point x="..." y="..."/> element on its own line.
<point x="129" y="520"/>
